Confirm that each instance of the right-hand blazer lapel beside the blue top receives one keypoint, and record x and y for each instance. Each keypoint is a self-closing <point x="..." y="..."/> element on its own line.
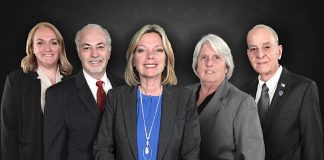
<point x="168" y="113"/>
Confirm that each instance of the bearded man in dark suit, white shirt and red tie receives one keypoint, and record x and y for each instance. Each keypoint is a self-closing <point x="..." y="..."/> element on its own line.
<point x="72" y="116"/>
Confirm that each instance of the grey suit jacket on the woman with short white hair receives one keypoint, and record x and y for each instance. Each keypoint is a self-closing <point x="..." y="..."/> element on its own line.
<point x="230" y="126"/>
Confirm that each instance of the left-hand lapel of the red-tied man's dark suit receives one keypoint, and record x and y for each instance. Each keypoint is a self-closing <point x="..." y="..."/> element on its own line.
<point x="86" y="95"/>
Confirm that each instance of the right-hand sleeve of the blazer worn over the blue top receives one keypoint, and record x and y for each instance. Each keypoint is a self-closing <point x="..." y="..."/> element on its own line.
<point x="191" y="141"/>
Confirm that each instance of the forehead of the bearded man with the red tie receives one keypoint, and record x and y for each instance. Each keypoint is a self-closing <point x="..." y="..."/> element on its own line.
<point x="92" y="36"/>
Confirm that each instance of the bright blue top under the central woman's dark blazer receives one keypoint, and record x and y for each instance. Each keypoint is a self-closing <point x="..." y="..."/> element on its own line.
<point x="149" y="108"/>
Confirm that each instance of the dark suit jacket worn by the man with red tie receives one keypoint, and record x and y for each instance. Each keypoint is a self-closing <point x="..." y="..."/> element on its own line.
<point x="71" y="119"/>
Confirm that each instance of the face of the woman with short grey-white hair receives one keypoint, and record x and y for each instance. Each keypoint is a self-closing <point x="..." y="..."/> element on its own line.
<point x="211" y="66"/>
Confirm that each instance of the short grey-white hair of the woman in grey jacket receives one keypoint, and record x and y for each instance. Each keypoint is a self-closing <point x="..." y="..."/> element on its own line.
<point x="221" y="48"/>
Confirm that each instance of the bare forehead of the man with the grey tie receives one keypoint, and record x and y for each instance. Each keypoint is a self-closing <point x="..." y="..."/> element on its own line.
<point x="260" y="36"/>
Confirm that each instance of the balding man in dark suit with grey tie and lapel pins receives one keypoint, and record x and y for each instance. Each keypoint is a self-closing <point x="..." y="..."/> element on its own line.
<point x="291" y="122"/>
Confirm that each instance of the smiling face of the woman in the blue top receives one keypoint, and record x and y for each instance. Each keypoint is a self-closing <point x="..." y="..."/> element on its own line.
<point x="149" y="57"/>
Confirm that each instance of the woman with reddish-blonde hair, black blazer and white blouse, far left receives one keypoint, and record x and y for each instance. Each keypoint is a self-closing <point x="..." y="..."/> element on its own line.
<point x="23" y="97"/>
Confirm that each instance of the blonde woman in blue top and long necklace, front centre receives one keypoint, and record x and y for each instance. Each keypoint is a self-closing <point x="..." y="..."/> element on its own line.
<point x="149" y="118"/>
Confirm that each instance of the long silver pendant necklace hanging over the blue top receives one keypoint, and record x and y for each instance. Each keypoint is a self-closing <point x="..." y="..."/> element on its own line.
<point x="147" y="150"/>
